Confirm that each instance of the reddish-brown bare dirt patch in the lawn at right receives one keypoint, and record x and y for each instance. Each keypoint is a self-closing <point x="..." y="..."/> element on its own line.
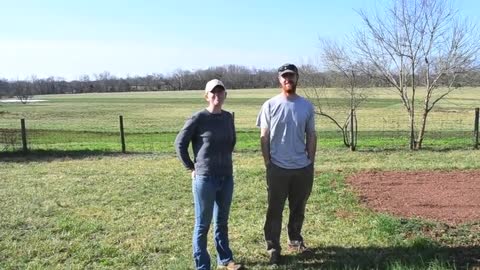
<point x="449" y="197"/>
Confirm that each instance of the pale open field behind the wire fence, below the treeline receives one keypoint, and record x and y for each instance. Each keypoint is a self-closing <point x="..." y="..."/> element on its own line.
<point x="152" y="119"/>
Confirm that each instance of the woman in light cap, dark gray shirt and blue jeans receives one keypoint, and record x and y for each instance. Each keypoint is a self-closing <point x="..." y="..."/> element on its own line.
<point x="212" y="134"/>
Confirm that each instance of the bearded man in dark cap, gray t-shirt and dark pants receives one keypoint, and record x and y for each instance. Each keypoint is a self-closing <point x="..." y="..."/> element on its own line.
<point x="288" y="141"/>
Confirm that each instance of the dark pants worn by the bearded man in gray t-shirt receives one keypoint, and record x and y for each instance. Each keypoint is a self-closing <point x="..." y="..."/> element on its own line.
<point x="294" y="184"/>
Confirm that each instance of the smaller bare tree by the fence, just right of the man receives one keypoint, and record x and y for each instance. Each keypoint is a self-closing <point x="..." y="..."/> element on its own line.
<point x="348" y="74"/>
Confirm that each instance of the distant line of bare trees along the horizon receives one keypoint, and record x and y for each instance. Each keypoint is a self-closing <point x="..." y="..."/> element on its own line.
<point x="234" y="77"/>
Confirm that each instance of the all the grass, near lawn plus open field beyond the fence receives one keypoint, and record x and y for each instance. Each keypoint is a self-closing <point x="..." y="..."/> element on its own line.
<point x="88" y="209"/>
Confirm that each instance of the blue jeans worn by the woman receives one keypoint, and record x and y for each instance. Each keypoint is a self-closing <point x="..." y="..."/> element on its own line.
<point x="212" y="196"/>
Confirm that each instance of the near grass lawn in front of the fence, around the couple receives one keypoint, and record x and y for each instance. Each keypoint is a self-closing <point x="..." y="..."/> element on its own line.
<point x="135" y="211"/>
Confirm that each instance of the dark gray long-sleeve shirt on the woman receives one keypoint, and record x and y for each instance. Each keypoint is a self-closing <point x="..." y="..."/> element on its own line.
<point x="213" y="139"/>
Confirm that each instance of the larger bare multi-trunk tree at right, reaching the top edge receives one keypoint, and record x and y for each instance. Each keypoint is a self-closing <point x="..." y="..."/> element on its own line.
<point x="418" y="47"/>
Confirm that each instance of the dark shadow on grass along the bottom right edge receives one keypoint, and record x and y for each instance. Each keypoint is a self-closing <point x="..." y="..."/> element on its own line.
<point x="381" y="258"/>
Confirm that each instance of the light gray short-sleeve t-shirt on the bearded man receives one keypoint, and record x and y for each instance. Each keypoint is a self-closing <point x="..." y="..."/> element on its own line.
<point x="288" y="120"/>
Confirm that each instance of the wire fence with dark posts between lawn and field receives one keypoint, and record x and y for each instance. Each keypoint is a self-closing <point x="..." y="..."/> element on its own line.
<point x="29" y="136"/>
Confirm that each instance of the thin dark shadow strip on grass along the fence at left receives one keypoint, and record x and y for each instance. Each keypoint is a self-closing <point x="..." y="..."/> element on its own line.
<point x="51" y="155"/>
